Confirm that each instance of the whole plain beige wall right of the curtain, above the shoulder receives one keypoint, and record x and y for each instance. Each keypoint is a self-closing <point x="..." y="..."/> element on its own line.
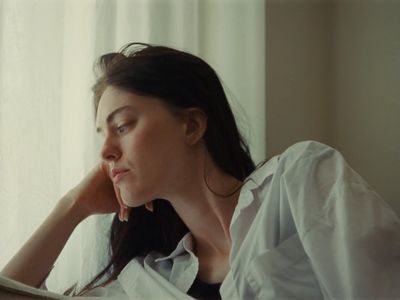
<point x="334" y="76"/>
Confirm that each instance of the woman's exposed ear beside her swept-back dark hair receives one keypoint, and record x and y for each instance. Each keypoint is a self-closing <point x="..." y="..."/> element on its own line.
<point x="195" y="125"/>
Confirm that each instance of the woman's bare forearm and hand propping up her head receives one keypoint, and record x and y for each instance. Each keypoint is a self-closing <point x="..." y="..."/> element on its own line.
<point x="95" y="194"/>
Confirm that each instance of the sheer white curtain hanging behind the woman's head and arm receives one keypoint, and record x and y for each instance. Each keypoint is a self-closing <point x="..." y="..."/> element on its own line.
<point x="47" y="140"/>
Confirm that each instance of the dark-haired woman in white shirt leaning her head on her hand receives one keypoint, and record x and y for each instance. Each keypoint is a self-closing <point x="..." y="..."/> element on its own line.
<point x="195" y="217"/>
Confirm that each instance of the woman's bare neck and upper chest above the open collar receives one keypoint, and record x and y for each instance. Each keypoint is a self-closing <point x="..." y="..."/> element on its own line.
<point x="207" y="212"/>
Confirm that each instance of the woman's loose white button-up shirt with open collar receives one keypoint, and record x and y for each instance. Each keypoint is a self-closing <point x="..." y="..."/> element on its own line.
<point x="306" y="226"/>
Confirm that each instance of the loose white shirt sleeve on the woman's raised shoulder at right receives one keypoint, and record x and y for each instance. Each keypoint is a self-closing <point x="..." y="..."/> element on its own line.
<point x="350" y="234"/>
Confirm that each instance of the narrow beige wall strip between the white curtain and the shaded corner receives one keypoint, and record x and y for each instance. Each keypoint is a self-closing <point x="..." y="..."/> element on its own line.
<point x="298" y="73"/>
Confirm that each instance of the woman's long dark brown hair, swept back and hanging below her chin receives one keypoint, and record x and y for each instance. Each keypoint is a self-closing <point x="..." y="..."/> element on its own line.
<point x="181" y="80"/>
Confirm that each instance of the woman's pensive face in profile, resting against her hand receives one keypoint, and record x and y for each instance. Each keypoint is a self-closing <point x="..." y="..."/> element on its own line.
<point x="144" y="145"/>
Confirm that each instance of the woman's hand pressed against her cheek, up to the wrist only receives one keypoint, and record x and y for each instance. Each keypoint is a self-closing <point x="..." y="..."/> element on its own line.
<point x="96" y="194"/>
